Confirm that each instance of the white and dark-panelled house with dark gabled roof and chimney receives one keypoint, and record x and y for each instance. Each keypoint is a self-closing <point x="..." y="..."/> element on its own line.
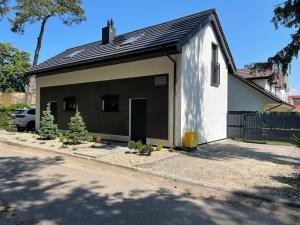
<point x="153" y="84"/>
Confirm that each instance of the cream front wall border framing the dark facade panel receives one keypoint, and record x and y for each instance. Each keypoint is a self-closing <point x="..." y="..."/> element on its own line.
<point x="160" y="65"/>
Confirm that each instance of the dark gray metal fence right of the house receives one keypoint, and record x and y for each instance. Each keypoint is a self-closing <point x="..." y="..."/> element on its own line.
<point x="262" y="127"/>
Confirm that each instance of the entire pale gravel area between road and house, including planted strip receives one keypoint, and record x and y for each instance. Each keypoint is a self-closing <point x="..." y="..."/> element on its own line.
<point x="265" y="170"/>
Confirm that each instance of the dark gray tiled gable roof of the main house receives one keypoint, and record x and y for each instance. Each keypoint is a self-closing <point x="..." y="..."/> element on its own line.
<point x="176" y="32"/>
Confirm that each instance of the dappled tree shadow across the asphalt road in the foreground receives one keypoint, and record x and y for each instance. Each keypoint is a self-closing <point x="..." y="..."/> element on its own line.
<point x="53" y="199"/>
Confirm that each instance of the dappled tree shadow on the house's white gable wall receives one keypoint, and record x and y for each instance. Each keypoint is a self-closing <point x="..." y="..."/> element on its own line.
<point x="193" y="87"/>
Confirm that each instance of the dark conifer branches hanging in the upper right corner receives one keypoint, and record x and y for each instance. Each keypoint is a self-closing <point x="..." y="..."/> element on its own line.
<point x="287" y="15"/>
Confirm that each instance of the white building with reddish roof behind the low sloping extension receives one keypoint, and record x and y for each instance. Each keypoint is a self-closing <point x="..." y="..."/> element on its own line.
<point x="272" y="81"/>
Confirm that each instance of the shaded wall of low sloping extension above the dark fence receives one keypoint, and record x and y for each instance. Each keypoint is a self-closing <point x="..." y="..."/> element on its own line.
<point x="243" y="97"/>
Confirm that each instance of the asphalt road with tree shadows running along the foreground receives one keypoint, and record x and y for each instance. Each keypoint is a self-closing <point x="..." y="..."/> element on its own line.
<point x="42" y="187"/>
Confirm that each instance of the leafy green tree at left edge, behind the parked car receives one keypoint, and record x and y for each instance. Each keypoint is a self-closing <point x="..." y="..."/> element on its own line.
<point x="13" y="65"/>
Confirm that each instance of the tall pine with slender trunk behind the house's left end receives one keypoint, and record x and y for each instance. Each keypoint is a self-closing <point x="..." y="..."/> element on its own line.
<point x="33" y="11"/>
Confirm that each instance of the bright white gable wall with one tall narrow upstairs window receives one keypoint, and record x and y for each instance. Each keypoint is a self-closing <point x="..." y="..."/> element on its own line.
<point x="203" y="107"/>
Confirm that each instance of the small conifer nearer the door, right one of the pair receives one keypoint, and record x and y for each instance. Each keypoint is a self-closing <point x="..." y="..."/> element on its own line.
<point x="77" y="130"/>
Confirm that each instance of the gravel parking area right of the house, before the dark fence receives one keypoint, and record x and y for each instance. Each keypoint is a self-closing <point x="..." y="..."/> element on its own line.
<point x="267" y="170"/>
